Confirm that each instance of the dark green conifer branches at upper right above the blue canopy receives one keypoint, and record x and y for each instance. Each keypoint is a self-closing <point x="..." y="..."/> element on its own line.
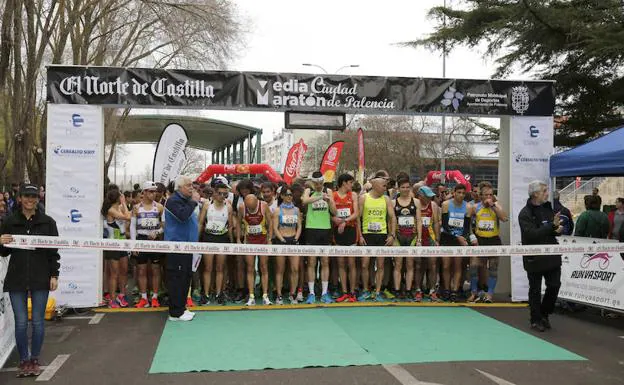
<point x="577" y="43"/>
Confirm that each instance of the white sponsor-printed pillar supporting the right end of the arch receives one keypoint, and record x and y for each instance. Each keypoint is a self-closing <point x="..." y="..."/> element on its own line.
<point x="532" y="144"/>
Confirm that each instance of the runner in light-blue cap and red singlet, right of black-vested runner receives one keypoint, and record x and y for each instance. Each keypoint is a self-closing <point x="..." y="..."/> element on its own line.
<point x="430" y="214"/>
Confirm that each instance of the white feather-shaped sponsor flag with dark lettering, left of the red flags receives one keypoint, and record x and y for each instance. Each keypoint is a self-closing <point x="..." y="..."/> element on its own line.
<point x="169" y="157"/>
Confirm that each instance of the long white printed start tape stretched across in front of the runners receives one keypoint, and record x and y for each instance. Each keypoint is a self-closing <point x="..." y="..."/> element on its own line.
<point x="28" y="241"/>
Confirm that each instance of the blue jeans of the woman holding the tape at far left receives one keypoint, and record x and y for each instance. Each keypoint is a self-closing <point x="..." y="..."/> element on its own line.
<point x="19" y="302"/>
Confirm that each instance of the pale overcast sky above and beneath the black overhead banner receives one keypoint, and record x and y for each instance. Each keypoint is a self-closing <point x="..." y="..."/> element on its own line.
<point x="283" y="34"/>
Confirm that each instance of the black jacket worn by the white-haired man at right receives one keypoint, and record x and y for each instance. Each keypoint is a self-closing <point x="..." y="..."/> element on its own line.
<point x="536" y="227"/>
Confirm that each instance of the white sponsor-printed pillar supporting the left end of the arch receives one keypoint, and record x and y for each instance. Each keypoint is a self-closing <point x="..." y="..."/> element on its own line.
<point x="74" y="185"/>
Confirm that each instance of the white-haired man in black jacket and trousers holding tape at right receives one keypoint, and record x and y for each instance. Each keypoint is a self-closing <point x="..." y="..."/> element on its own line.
<point x="539" y="225"/>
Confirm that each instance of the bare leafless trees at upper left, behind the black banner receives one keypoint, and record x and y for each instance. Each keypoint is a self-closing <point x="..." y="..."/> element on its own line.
<point x="151" y="33"/>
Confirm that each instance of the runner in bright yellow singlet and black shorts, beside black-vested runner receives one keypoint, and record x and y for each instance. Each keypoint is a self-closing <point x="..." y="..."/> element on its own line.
<point x="378" y="229"/>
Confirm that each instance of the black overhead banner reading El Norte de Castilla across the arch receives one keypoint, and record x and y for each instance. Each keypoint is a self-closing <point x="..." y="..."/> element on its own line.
<point x="113" y="86"/>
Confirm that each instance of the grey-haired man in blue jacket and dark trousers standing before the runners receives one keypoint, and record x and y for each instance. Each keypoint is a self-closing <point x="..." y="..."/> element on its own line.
<point x="181" y="213"/>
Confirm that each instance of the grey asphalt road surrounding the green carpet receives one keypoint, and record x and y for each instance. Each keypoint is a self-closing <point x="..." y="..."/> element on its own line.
<point x="119" y="350"/>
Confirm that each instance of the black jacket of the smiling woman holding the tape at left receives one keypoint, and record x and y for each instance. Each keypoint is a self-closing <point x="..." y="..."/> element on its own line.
<point x="30" y="269"/>
